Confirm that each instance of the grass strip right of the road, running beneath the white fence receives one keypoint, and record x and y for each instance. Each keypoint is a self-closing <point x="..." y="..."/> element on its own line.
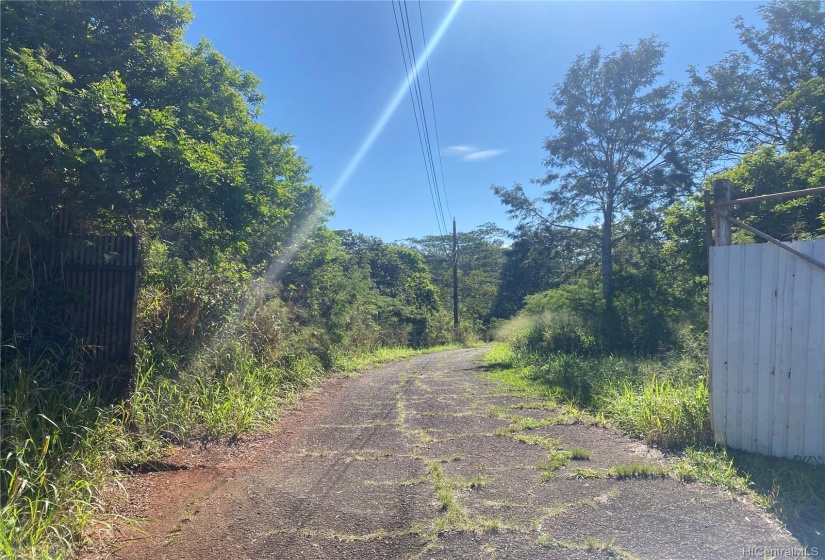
<point x="663" y="401"/>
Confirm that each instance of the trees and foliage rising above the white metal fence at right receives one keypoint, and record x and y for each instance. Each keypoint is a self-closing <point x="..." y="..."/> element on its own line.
<point x="765" y="108"/>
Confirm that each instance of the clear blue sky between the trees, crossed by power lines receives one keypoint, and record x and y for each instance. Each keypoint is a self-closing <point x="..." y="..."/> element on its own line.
<point x="329" y="70"/>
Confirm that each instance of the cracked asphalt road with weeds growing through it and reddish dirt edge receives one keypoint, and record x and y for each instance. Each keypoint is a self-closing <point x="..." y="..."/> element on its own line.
<point x="425" y="458"/>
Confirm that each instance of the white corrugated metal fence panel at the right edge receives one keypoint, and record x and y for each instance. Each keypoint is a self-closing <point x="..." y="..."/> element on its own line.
<point x="767" y="349"/>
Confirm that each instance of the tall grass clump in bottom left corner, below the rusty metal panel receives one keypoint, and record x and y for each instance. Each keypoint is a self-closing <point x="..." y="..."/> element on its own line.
<point x="57" y="444"/>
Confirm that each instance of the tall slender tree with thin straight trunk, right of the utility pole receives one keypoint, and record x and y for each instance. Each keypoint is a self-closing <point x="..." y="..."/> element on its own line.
<point x="618" y="148"/>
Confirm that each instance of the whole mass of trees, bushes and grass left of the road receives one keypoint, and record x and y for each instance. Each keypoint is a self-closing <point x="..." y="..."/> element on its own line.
<point x="110" y="117"/>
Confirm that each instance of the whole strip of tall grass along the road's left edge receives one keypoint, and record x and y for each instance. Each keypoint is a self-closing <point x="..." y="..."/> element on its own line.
<point x="60" y="444"/>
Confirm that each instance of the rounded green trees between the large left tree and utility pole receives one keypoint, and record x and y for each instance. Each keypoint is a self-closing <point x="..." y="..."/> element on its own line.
<point x="365" y="292"/>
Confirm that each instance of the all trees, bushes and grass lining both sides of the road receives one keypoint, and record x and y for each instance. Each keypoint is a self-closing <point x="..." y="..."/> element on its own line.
<point x="112" y="123"/>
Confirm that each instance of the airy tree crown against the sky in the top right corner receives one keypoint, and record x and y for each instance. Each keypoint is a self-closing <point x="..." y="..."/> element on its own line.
<point x="773" y="90"/>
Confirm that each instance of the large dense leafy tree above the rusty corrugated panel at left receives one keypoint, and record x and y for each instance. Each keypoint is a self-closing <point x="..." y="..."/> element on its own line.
<point x="109" y="114"/>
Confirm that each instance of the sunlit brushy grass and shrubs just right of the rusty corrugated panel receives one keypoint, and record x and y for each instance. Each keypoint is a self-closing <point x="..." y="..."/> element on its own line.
<point x="235" y="385"/>
